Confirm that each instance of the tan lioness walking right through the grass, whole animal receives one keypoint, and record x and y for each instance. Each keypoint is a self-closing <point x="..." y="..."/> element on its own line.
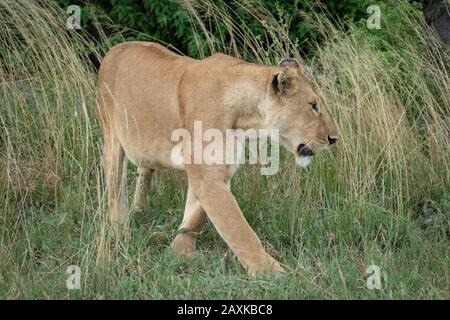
<point x="147" y="91"/>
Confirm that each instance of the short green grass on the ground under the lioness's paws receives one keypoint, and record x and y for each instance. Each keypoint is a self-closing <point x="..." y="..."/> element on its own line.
<point x="327" y="250"/>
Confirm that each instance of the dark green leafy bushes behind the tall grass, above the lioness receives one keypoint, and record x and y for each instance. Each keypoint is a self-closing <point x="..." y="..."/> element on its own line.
<point x="168" y="21"/>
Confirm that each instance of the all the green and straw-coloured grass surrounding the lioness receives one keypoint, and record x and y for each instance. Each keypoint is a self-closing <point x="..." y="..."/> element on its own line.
<point x="382" y="197"/>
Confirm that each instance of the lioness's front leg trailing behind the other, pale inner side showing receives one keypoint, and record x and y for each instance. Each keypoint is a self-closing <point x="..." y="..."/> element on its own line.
<point x="194" y="218"/>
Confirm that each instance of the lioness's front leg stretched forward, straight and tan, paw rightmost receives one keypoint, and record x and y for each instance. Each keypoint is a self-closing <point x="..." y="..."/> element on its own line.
<point x="210" y="187"/>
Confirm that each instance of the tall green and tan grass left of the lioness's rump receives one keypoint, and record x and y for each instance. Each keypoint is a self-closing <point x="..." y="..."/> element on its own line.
<point x="49" y="164"/>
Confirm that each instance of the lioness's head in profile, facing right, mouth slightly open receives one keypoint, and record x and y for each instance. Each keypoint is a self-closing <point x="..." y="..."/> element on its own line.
<point x="299" y="112"/>
